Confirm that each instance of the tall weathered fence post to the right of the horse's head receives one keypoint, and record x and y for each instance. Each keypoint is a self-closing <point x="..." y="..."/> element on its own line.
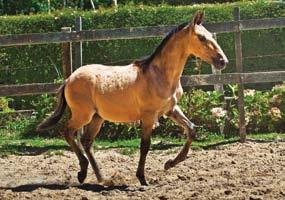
<point x="239" y="69"/>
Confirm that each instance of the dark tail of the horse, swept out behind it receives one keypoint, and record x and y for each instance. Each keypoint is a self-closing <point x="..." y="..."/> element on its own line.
<point x="57" y="114"/>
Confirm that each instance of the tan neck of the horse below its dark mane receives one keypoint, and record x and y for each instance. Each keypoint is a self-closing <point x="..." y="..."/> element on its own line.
<point x="171" y="61"/>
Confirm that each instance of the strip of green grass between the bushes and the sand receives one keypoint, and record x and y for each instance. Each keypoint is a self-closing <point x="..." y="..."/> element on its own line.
<point x="53" y="146"/>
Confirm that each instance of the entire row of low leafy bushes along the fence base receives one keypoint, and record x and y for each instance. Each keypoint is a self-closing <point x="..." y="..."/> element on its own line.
<point x="264" y="113"/>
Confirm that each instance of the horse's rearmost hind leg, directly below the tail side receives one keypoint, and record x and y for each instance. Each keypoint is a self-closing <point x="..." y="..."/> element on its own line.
<point x="77" y="121"/>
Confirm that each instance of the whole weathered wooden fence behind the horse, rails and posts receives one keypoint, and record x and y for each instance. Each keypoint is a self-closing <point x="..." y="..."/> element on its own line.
<point x="67" y="37"/>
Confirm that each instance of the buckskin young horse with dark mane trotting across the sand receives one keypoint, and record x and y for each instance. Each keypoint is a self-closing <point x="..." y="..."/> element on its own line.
<point x="142" y="91"/>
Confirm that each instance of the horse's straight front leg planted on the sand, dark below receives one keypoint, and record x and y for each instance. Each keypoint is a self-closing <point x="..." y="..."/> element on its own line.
<point x="147" y="125"/>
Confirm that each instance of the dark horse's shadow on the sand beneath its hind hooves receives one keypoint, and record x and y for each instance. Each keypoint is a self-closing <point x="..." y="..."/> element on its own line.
<point x="56" y="186"/>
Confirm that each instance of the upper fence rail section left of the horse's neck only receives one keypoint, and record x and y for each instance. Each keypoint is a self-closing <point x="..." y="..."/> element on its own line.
<point x="89" y="35"/>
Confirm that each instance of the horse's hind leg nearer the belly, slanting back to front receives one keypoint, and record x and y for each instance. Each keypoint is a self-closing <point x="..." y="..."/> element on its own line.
<point x="90" y="132"/>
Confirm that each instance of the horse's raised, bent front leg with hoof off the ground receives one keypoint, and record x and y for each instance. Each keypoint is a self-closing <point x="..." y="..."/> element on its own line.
<point x="178" y="116"/>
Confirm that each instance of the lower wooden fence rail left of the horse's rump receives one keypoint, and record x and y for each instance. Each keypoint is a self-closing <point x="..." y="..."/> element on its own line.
<point x="28" y="89"/>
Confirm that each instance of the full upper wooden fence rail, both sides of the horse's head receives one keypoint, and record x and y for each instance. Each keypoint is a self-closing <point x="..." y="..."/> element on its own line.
<point x="130" y="33"/>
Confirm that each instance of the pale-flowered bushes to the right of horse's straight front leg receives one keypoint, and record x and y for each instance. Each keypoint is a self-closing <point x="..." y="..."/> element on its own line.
<point x="264" y="111"/>
